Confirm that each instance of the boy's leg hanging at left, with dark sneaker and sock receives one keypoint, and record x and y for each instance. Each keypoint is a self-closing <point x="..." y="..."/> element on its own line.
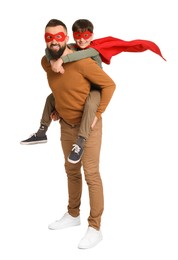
<point x="40" y="135"/>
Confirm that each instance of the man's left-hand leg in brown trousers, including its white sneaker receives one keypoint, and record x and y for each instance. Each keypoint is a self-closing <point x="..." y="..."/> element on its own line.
<point x="74" y="179"/>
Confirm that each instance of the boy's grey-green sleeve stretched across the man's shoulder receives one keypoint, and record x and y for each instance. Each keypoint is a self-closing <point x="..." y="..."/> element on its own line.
<point x="83" y="54"/>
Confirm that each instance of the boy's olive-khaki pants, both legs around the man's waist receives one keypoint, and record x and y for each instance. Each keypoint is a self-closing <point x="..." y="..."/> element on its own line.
<point x="90" y="108"/>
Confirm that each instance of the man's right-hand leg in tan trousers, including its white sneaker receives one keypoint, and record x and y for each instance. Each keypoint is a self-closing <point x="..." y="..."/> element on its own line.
<point x="93" y="179"/>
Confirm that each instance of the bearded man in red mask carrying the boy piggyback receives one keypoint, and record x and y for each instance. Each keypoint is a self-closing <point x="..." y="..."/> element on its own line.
<point x="70" y="91"/>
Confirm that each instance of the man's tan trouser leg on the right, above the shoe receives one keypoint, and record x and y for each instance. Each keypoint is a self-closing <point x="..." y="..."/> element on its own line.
<point x="90" y="160"/>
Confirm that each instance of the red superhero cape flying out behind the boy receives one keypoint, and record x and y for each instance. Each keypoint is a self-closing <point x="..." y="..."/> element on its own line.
<point x="110" y="46"/>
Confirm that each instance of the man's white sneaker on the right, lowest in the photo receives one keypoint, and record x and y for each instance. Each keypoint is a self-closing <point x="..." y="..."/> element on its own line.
<point x="91" y="238"/>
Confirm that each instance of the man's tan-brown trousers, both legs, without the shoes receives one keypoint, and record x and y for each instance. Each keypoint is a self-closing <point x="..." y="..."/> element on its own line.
<point x="90" y="164"/>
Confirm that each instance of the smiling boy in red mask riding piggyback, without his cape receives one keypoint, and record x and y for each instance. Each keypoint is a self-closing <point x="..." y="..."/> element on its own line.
<point x="83" y="35"/>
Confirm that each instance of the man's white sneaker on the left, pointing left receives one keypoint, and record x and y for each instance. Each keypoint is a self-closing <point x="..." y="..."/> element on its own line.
<point x="66" y="221"/>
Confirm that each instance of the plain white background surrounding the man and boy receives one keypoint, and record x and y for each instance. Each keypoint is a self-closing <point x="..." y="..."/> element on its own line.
<point x="140" y="144"/>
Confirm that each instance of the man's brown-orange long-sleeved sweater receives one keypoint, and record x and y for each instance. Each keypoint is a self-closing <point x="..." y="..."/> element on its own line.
<point x="71" y="89"/>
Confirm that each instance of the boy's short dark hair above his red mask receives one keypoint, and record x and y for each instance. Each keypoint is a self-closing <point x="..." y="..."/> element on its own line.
<point x="82" y="25"/>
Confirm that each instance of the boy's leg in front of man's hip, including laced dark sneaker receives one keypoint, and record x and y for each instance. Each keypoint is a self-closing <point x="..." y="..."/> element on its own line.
<point x="90" y="108"/>
